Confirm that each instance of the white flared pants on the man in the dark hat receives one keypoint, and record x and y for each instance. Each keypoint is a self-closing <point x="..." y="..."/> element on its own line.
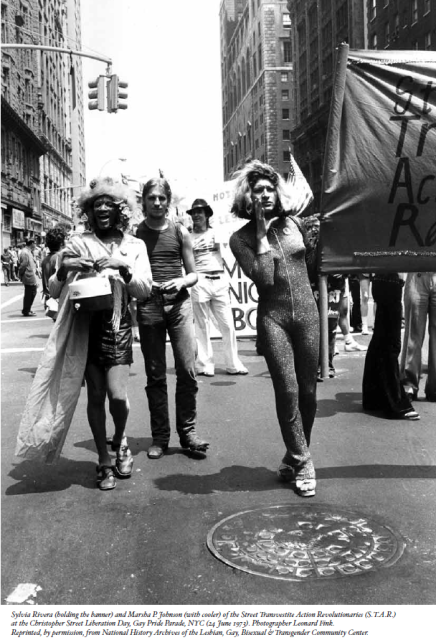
<point x="212" y="297"/>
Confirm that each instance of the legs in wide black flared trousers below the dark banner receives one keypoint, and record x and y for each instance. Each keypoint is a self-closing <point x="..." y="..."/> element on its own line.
<point x="381" y="386"/>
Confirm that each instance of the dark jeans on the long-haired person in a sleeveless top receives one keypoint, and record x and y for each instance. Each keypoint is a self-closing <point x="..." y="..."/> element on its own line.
<point x="155" y="318"/>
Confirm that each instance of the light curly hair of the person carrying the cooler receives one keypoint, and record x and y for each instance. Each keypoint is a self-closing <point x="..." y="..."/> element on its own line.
<point x="123" y="197"/>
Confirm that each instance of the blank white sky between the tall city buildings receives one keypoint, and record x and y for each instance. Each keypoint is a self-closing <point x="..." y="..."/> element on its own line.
<point x="169" y="53"/>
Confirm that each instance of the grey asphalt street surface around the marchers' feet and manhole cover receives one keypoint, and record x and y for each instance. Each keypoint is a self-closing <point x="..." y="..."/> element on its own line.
<point x="146" y="542"/>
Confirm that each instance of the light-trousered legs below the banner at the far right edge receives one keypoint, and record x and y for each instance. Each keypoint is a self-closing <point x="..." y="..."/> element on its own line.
<point x="419" y="306"/>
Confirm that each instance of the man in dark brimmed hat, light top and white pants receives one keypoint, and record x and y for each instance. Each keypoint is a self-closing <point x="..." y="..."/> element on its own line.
<point x="211" y="295"/>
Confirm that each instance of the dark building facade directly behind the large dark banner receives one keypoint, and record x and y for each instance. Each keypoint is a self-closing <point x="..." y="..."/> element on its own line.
<point x="318" y="27"/>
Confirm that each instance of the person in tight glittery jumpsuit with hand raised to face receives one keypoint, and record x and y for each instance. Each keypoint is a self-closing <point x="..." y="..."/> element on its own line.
<point x="270" y="250"/>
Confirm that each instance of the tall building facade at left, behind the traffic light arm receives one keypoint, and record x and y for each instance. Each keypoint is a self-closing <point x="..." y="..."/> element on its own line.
<point x="42" y="117"/>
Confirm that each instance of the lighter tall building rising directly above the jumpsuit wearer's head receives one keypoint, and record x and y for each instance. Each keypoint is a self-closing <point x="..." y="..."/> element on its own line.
<point x="256" y="72"/>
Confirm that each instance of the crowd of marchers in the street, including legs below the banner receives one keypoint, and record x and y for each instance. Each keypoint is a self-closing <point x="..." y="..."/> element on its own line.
<point x="174" y="281"/>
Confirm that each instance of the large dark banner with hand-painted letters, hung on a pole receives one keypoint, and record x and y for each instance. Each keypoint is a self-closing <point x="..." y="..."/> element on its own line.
<point x="378" y="209"/>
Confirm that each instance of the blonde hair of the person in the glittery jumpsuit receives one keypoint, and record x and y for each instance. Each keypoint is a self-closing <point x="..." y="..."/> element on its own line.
<point x="246" y="179"/>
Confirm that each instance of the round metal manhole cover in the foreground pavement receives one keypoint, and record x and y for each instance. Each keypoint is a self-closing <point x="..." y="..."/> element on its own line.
<point x="289" y="542"/>
